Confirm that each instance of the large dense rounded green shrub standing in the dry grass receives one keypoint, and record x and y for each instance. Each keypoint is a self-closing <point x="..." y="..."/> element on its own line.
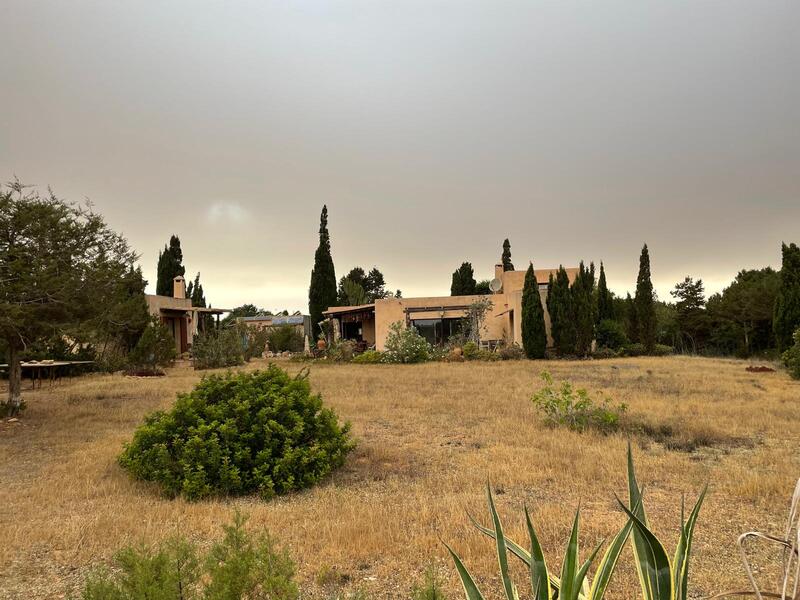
<point x="240" y="433"/>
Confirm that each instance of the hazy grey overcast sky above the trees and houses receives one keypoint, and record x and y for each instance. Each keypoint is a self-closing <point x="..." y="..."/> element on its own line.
<point x="431" y="129"/>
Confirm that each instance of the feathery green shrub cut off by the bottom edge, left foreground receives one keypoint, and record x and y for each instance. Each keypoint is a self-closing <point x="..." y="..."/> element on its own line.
<point x="241" y="565"/>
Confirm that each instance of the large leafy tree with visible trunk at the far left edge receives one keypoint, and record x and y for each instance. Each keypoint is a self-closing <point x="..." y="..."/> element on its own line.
<point x="62" y="270"/>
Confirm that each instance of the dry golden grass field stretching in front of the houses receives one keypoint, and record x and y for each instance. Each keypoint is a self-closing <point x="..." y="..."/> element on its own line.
<point x="429" y="436"/>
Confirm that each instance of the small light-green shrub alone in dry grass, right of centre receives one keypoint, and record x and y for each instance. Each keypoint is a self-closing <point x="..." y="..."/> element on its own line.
<point x="574" y="408"/>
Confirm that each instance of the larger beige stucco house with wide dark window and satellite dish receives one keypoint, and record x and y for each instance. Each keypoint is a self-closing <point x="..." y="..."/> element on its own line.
<point x="437" y="318"/>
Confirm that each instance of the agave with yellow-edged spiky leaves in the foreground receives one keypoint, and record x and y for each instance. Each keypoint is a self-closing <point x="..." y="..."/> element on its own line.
<point x="660" y="578"/>
